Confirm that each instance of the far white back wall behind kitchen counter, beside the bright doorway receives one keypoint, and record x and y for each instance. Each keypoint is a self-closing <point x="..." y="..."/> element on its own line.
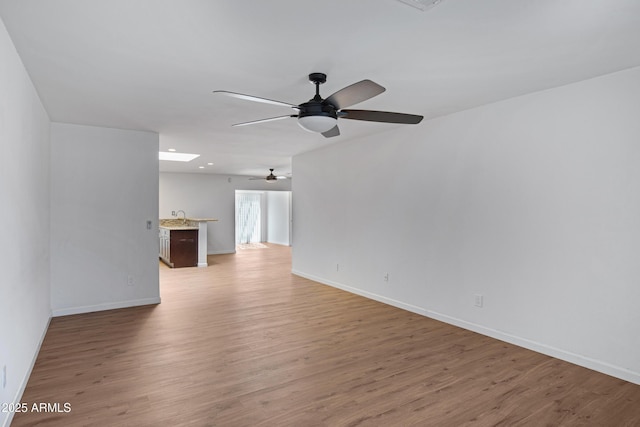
<point x="210" y="196"/>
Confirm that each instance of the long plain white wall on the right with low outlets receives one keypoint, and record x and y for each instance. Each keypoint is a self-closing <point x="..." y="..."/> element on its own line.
<point x="533" y="203"/>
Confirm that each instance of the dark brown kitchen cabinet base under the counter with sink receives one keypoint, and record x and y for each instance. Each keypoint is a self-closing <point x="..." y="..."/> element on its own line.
<point x="179" y="248"/>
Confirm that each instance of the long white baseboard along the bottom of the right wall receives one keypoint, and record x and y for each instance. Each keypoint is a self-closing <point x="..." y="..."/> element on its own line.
<point x="576" y="359"/>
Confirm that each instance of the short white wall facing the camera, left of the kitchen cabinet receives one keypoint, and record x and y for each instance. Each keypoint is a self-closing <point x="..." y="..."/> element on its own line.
<point x="104" y="189"/>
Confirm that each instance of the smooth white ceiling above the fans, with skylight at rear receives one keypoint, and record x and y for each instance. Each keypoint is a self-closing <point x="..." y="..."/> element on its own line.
<point x="153" y="64"/>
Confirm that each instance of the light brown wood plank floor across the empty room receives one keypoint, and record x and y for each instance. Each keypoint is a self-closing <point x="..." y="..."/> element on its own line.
<point x="246" y="343"/>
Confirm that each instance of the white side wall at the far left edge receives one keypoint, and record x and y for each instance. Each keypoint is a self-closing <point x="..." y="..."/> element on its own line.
<point x="24" y="215"/>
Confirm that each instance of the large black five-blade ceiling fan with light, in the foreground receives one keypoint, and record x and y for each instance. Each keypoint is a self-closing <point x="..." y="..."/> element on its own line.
<point x="321" y="115"/>
